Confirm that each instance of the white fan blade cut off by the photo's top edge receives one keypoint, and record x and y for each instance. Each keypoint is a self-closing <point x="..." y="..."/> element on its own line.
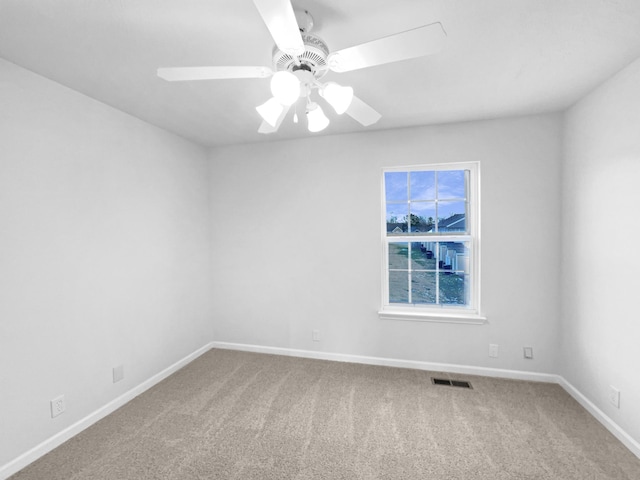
<point x="281" y="21"/>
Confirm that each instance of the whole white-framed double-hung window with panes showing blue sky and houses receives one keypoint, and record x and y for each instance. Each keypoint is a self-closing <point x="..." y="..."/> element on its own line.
<point x="431" y="243"/>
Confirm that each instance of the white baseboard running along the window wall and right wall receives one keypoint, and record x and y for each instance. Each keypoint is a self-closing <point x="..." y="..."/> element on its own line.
<point x="599" y="415"/>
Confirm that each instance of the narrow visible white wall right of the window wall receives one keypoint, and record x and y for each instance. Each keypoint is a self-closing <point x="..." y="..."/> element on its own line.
<point x="601" y="258"/>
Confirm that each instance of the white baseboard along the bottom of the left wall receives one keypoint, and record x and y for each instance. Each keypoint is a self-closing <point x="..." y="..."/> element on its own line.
<point x="59" y="438"/>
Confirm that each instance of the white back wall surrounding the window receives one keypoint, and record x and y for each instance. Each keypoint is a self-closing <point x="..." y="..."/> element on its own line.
<point x="297" y="243"/>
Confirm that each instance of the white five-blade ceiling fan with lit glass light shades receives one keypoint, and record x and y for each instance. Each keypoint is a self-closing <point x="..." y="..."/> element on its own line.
<point x="301" y="59"/>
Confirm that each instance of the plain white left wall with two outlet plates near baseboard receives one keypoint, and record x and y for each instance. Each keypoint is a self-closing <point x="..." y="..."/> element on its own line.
<point x="104" y="254"/>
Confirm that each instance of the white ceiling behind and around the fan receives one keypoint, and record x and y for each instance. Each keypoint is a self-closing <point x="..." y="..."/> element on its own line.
<point x="501" y="57"/>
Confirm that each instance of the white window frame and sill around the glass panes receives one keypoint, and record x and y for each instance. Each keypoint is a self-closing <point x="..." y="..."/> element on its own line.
<point x="470" y="313"/>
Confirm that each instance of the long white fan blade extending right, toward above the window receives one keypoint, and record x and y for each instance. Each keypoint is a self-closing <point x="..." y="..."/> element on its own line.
<point x="414" y="43"/>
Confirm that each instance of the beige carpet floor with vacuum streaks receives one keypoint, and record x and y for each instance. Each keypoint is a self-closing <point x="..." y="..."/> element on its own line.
<point x="237" y="415"/>
